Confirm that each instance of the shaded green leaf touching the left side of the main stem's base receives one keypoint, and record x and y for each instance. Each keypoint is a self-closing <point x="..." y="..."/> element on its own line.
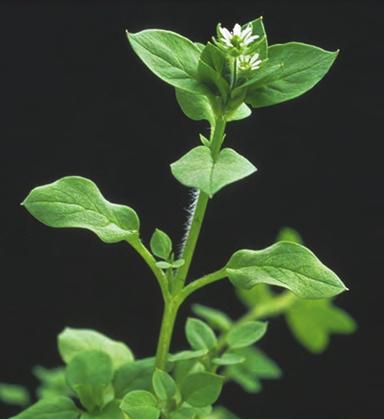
<point x="134" y="376"/>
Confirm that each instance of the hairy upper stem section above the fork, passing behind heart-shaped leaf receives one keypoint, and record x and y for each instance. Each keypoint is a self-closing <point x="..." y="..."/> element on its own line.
<point x="217" y="137"/>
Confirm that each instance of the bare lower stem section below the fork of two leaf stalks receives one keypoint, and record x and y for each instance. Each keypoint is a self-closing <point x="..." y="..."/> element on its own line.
<point x="166" y="331"/>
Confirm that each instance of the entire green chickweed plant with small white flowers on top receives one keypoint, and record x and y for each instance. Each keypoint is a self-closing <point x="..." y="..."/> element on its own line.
<point x="219" y="82"/>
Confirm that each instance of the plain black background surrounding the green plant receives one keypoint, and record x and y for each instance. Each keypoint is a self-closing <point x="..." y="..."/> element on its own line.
<point x="75" y="100"/>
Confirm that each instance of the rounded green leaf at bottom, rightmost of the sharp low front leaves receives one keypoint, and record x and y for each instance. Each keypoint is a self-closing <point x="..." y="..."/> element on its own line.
<point x="201" y="389"/>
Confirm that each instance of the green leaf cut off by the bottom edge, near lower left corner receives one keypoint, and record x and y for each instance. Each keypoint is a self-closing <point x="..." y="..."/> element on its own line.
<point x="52" y="408"/>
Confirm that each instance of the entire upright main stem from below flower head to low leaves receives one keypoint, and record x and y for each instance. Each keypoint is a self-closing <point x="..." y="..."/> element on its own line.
<point x="171" y="306"/>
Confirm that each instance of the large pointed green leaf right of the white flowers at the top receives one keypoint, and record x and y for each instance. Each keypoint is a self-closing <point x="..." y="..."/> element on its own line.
<point x="292" y="69"/>
